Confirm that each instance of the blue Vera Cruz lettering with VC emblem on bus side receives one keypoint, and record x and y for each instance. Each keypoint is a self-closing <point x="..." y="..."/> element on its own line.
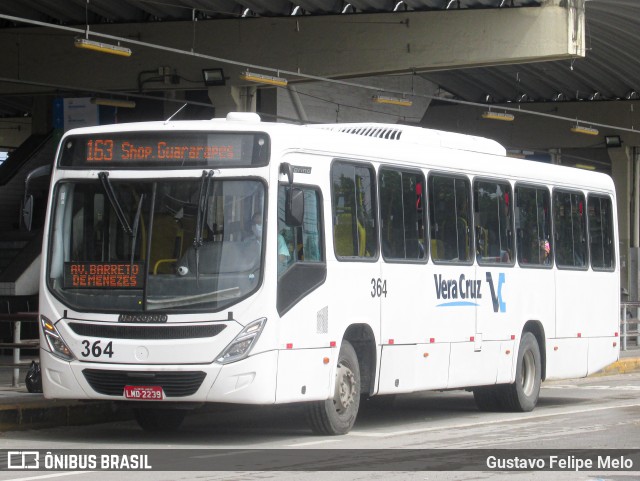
<point x="463" y="292"/>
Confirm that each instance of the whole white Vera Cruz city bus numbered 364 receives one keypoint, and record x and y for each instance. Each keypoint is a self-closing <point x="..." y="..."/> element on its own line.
<point x="238" y="261"/>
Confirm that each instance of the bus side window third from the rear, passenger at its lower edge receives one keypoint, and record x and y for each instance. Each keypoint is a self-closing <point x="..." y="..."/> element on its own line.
<point x="533" y="226"/>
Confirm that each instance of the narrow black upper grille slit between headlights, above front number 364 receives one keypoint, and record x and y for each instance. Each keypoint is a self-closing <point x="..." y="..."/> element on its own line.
<point x="119" y="331"/>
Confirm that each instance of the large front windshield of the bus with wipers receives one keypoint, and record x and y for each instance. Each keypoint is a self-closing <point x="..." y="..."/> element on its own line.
<point x="143" y="245"/>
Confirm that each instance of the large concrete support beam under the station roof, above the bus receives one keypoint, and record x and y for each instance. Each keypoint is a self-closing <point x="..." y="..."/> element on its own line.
<point x="329" y="46"/>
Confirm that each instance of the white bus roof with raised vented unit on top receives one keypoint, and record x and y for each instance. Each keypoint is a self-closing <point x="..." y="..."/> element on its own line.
<point x="495" y="164"/>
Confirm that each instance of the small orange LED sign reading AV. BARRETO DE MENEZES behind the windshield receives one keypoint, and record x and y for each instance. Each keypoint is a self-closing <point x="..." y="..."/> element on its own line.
<point x="103" y="275"/>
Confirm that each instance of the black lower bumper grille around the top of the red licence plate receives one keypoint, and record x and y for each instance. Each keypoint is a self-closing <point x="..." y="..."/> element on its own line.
<point x="174" y="384"/>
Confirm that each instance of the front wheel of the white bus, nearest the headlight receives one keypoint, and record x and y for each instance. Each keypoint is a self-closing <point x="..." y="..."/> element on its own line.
<point x="338" y="414"/>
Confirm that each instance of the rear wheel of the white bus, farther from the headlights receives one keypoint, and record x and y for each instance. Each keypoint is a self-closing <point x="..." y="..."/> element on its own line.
<point x="522" y="395"/>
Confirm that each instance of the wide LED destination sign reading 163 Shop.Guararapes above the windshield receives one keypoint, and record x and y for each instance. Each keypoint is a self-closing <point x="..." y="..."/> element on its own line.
<point x="166" y="149"/>
